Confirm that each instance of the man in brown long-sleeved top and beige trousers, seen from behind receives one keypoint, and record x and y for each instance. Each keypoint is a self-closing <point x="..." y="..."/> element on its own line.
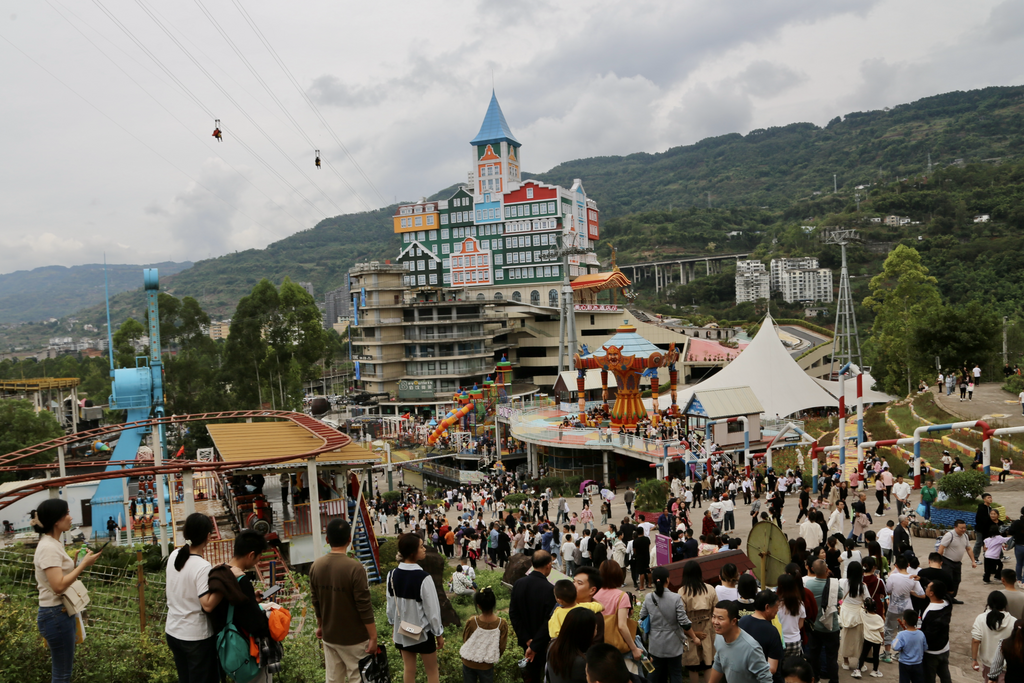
<point x="342" y="601"/>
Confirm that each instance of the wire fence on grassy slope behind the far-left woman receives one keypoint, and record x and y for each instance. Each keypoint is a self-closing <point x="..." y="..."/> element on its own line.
<point x="121" y="600"/>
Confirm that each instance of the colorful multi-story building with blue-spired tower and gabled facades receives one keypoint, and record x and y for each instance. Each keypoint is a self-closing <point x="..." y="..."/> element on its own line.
<point x="499" y="237"/>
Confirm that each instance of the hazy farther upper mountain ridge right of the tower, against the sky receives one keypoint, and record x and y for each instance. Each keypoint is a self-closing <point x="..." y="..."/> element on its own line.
<point x="777" y="166"/>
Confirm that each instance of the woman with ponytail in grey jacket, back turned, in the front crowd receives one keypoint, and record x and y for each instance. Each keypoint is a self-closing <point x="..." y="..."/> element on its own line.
<point x="669" y="623"/>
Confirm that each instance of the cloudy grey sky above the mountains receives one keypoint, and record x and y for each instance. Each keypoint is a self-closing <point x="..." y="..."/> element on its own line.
<point x="109" y="106"/>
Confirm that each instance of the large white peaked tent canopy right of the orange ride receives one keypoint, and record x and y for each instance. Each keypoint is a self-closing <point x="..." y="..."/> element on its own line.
<point x="773" y="374"/>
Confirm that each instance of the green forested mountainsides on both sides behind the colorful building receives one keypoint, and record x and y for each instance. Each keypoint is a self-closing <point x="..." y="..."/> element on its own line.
<point x="766" y="186"/>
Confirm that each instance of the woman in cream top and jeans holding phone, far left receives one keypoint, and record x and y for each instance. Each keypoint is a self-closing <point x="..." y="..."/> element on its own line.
<point x="56" y="572"/>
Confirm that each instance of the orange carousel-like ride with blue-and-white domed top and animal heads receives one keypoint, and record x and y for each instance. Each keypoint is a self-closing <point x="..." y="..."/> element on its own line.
<point x="629" y="357"/>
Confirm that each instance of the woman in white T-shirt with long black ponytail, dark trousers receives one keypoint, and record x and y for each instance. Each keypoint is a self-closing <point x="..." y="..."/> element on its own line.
<point x="189" y="632"/>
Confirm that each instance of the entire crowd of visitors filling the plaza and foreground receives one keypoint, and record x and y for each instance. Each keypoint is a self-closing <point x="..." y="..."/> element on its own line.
<point x="856" y="596"/>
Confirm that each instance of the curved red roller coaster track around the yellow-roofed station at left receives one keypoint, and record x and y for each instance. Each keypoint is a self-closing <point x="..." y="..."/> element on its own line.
<point x="331" y="441"/>
